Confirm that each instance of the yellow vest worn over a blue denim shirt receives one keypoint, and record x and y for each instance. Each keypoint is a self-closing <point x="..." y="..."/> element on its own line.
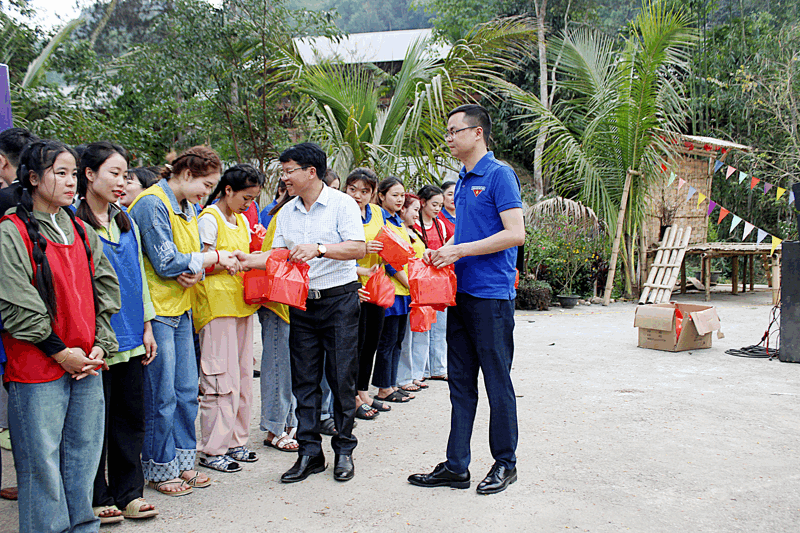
<point x="169" y="298"/>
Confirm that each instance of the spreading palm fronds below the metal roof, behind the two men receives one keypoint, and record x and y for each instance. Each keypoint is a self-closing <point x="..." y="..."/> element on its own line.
<point x="342" y="110"/>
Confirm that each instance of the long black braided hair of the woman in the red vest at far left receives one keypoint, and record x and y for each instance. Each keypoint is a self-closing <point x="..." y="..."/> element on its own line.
<point x="36" y="158"/>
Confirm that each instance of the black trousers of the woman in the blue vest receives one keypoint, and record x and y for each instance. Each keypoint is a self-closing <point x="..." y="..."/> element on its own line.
<point x="124" y="435"/>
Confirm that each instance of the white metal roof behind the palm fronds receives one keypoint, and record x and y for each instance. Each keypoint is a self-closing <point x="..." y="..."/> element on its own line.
<point x="373" y="47"/>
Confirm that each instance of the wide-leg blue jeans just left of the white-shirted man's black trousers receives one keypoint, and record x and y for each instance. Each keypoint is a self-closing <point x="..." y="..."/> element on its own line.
<point x="277" y="401"/>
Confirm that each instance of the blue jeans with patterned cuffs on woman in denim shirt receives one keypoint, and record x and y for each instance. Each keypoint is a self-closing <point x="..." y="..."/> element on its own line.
<point x="170" y="400"/>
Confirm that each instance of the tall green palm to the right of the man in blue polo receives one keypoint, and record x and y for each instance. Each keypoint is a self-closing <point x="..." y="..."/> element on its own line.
<point x="609" y="140"/>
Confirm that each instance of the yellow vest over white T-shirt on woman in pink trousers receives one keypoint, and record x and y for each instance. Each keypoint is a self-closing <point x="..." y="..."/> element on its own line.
<point x="221" y="294"/>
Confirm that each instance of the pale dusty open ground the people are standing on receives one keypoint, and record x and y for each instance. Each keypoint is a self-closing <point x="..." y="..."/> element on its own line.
<point x="612" y="438"/>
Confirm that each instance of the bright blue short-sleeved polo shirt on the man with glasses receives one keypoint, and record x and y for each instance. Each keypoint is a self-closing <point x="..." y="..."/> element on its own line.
<point x="480" y="196"/>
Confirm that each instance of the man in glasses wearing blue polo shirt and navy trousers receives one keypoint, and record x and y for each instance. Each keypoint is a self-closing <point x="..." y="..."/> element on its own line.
<point x="480" y="329"/>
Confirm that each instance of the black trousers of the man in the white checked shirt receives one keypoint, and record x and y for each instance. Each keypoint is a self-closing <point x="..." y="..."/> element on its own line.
<point x="325" y="335"/>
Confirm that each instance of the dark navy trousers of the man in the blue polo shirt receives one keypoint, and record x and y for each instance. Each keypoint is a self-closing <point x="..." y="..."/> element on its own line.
<point x="480" y="337"/>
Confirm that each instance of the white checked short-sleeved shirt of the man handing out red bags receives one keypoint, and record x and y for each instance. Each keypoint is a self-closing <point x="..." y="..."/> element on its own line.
<point x="333" y="218"/>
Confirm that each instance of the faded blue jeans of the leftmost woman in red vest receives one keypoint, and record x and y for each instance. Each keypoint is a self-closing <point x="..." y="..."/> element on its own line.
<point x="56" y="436"/>
